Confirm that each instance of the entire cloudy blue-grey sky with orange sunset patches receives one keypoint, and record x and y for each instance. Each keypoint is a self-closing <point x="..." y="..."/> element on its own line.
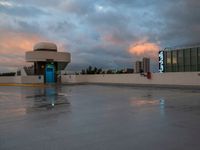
<point x="102" y="33"/>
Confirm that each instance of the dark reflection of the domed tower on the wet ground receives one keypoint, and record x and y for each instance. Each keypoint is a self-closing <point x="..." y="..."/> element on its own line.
<point x="48" y="98"/>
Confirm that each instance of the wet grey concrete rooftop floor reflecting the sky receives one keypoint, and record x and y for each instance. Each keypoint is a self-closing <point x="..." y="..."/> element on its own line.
<point x="92" y="117"/>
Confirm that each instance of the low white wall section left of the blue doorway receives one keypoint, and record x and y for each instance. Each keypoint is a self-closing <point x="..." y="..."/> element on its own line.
<point x="21" y="79"/>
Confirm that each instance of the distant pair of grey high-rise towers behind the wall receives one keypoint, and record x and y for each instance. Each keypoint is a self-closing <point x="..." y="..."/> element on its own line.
<point x="142" y="66"/>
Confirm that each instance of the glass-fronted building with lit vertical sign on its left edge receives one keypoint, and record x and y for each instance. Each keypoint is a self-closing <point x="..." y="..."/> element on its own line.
<point x="179" y="59"/>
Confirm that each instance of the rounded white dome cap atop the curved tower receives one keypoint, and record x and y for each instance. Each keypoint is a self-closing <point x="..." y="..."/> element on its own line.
<point x="45" y="46"/>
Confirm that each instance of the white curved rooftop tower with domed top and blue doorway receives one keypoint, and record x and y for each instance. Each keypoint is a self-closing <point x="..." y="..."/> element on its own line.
<point x="48" y="61"/>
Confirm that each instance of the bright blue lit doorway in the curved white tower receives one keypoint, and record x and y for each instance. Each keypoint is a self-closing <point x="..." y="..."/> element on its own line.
<point x="50" y="71"/>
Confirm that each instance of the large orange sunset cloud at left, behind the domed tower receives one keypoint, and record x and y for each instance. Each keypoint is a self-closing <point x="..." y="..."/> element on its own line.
<point x="13" y="46"/>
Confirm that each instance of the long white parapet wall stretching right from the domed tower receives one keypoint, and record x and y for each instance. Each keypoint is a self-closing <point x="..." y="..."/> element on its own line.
<point x="179" y="78"/>
